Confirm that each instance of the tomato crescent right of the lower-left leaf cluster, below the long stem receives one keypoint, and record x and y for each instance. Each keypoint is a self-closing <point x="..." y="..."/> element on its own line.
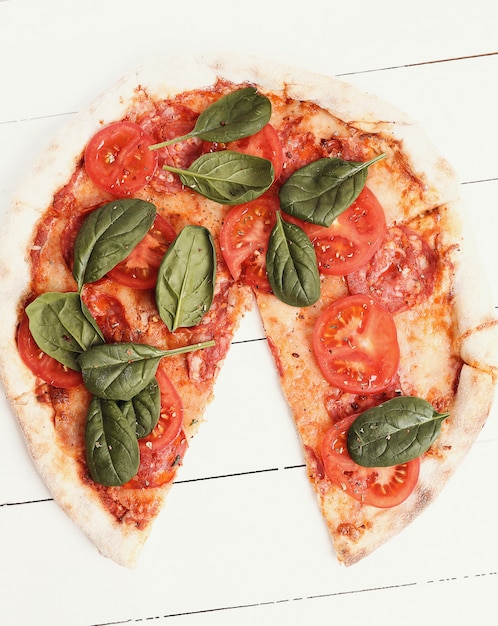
<point x="171" y="417"/>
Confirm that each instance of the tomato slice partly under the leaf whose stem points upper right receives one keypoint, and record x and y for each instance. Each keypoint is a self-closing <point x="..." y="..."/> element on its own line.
<point x="352" y="238"/>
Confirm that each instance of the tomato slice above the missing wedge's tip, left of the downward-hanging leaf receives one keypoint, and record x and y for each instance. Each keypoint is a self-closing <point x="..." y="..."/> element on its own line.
<point x="244" y="240"/>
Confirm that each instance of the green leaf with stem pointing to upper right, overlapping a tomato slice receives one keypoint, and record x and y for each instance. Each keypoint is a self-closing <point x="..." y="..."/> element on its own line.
<point x="322" y="190"/>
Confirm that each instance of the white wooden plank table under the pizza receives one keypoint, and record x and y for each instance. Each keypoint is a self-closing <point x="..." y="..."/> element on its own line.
<point x="241" y="540"/>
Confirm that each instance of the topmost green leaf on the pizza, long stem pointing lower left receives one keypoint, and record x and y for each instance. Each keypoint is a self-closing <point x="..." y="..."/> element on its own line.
<point x="239" y="114"/>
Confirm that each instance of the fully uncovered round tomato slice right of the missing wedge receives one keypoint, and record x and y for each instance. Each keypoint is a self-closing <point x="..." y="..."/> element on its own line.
<point x="356" y="346"/>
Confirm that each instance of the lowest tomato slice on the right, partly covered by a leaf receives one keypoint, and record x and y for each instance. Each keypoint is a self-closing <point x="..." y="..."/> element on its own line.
<point x="382" y="487"/>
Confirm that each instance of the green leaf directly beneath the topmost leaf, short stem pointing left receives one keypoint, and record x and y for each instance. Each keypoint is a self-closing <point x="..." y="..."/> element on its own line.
<point x="227" y="177"/>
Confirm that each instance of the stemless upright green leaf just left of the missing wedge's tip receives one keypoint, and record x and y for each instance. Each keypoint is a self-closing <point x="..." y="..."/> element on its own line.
<point x="186" y="278"/>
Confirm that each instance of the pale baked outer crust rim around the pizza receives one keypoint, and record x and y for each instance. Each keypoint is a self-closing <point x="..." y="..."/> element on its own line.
<point x="165" y="78"/>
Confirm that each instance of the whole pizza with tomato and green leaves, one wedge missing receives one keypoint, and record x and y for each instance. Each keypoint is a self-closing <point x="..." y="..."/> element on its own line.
<point x="192" y="191"/>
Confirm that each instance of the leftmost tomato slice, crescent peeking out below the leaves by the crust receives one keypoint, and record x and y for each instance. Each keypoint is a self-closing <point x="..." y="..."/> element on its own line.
<point x="41" y="364"/>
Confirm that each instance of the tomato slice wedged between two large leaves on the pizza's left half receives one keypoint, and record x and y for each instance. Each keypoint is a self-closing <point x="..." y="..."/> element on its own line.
<point x="139" y="269"/>
